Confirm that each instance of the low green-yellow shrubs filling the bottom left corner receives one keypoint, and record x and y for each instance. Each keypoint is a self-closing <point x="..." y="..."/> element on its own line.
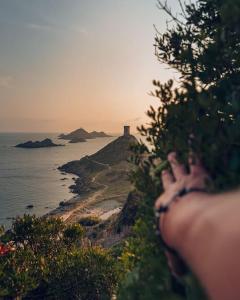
<point x="51" y="260"/>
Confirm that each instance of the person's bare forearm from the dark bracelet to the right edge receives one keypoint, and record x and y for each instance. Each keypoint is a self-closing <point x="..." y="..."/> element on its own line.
<point x="205" y="230"/>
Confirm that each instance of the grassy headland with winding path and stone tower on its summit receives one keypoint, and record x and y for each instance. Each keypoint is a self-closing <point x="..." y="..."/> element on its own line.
<point x="103" y="185"/>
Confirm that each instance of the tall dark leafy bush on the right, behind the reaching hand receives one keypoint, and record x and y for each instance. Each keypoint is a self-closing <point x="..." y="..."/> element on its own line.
<point x="198" y="113"/>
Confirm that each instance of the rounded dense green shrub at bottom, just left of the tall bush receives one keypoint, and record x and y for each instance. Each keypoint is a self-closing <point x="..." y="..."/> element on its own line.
<point x="85" y="274"/>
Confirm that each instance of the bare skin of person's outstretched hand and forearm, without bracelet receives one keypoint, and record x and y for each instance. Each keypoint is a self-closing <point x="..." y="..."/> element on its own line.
<point x="204" y="229"/>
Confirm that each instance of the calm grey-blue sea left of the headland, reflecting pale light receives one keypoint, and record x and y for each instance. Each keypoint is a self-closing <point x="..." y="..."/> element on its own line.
<point x="30" y="176"/>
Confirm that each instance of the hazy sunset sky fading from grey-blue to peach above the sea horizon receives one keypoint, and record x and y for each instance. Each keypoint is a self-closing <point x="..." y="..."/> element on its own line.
<point x="66" y="64"/>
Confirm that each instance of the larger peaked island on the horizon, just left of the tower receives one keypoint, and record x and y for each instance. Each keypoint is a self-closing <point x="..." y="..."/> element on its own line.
<point x="81" y="135"/>
